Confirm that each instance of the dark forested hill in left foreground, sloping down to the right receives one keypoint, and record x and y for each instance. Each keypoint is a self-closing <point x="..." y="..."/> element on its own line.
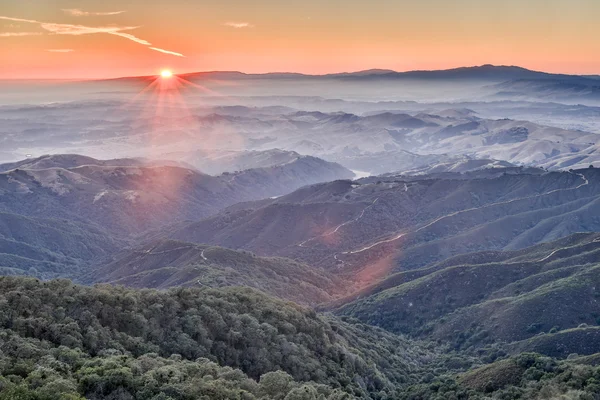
<point x="113" y="335"/>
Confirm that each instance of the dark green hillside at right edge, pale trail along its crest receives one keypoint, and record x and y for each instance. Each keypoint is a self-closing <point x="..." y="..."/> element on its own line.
<point x="541" y="298"/>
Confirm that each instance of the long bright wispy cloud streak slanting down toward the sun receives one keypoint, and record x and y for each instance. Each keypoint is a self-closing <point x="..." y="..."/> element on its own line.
<point x="76" y="30"/>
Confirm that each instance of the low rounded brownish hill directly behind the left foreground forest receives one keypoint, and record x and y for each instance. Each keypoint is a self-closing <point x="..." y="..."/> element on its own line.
<point x="168" y="263"/>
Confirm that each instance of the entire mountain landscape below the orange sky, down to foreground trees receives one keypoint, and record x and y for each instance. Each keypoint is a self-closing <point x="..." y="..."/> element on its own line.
<point x="373" y="235"/>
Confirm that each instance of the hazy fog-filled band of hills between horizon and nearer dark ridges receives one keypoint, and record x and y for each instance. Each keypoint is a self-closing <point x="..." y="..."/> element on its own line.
<point x="373" y="122"/>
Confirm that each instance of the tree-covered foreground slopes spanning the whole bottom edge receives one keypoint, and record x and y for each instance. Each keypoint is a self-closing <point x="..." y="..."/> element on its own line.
<point x="66" y="342"/>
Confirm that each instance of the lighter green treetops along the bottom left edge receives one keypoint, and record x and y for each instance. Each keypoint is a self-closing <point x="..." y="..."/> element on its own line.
<point x="69" y="374"/>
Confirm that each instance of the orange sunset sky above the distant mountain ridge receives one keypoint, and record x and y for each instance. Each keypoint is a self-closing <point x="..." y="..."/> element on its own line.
<point x="87" y="39"/>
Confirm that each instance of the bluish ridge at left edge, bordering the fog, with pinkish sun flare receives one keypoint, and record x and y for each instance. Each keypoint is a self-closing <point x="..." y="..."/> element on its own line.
<point x="63" y="212"/>
